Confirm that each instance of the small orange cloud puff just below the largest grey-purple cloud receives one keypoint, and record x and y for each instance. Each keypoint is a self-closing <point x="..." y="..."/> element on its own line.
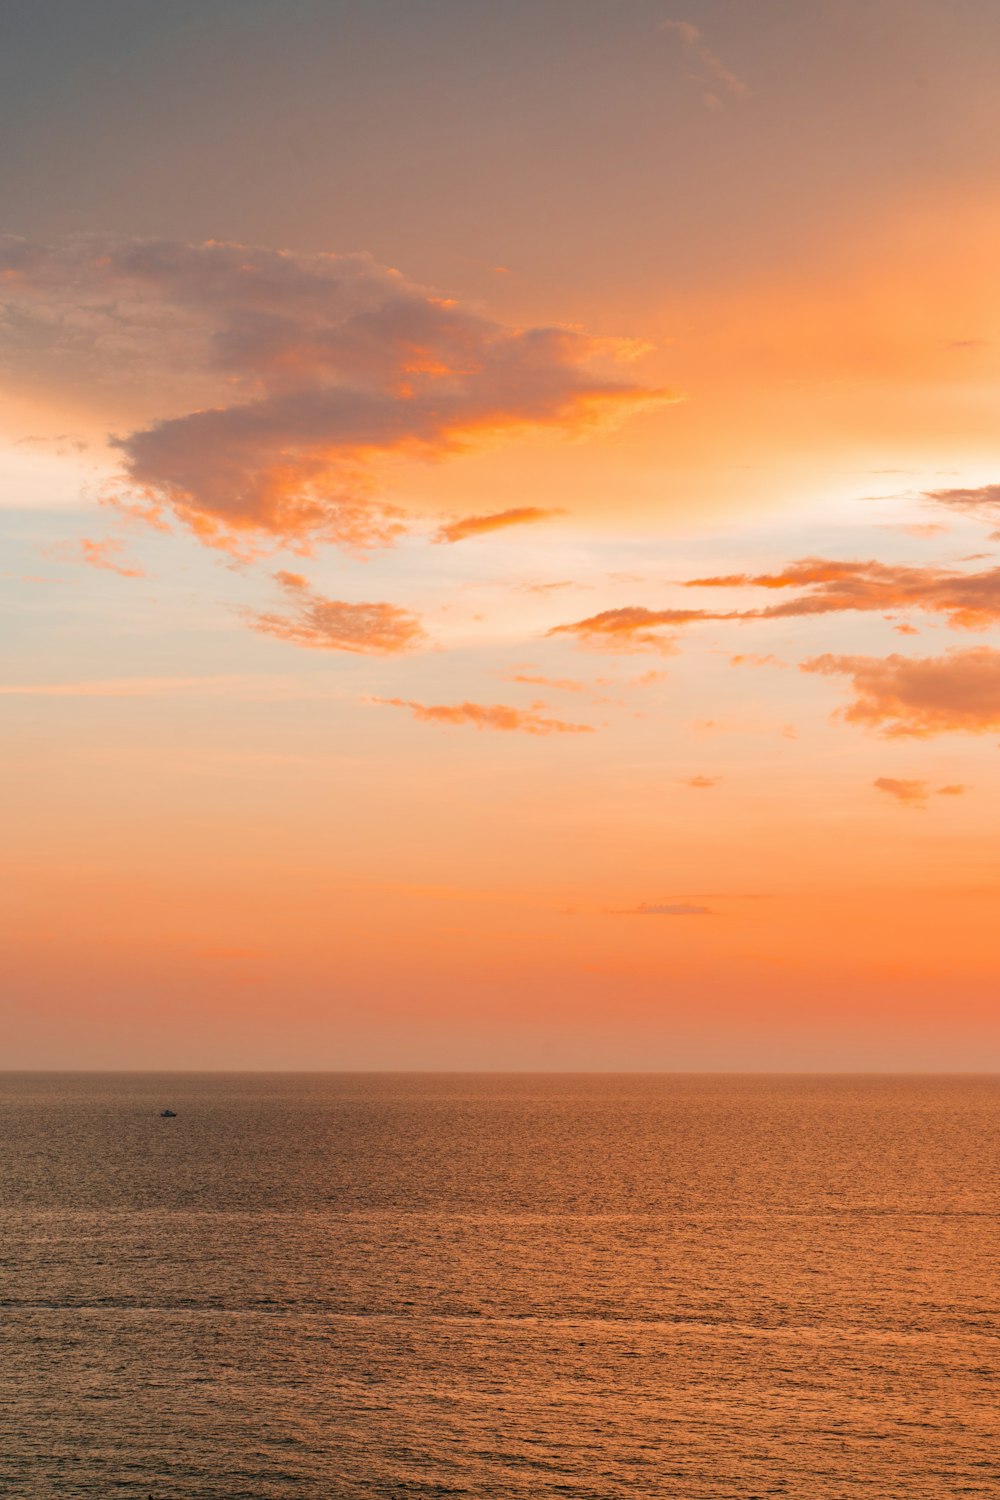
<point x="337" y="626"/>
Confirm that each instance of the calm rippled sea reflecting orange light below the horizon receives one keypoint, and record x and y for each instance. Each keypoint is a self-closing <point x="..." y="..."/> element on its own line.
<point x="406" y="1286"/>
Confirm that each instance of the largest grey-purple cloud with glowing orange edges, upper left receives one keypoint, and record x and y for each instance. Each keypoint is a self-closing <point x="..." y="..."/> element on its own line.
<point x="304" y="371"/>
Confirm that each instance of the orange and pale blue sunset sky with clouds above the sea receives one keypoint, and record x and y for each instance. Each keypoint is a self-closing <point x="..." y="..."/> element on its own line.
<point x="500" y="518"/>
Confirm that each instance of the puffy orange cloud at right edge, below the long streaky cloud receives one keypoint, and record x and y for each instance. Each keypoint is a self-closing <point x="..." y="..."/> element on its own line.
<point x="921" y="697"/>
